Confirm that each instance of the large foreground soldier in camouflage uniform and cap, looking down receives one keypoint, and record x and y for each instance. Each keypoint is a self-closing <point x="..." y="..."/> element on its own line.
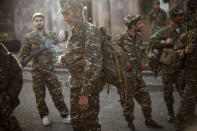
<point x="84" y="60"/>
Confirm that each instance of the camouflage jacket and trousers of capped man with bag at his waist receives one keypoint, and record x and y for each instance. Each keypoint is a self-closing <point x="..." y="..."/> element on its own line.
<point x="168" y="71"/>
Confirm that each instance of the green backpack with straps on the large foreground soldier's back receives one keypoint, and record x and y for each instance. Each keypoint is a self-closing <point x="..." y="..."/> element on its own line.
<point x="115" y="61"/>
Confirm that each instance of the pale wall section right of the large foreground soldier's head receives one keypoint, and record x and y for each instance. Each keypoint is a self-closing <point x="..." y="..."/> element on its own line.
<point x="111" y="16"/>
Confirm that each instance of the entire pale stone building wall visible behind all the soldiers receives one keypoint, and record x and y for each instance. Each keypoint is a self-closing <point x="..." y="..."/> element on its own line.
<point x="106" y="13"/>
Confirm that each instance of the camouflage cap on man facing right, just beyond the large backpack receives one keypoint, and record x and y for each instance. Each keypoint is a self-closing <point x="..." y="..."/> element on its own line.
<point x="130" y="18"/>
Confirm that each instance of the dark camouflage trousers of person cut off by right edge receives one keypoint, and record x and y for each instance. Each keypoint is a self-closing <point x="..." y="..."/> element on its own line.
<point x="186" y="111"/>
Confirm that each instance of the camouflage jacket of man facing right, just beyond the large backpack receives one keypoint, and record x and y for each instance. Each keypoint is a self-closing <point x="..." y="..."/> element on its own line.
<point x="133" y="47"/>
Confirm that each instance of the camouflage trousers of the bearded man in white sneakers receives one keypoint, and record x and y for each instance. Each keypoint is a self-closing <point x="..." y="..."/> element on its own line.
<point x="49" y="80"/>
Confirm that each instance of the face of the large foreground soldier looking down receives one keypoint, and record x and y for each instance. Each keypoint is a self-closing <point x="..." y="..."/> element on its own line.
<point x="71" y="17"/>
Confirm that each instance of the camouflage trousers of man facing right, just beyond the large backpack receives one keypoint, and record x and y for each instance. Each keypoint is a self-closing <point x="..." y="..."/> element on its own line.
<point x="138" y="91"/>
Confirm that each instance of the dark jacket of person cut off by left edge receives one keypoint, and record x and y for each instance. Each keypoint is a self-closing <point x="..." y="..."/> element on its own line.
<point x="11" y="78"/>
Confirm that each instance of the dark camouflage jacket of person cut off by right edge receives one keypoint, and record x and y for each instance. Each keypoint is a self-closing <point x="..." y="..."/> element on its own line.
<point x="189" y="60"/>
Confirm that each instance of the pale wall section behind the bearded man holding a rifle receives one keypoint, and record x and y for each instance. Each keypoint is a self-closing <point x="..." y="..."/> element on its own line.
<point x="24" y="9"/>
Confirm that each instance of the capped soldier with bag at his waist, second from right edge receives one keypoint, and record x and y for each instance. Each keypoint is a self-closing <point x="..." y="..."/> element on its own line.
<point x="166" y="38"/>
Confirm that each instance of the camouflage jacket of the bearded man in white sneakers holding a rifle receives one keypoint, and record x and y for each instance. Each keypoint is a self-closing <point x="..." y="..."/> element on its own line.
<point x="32" y="42"/>
